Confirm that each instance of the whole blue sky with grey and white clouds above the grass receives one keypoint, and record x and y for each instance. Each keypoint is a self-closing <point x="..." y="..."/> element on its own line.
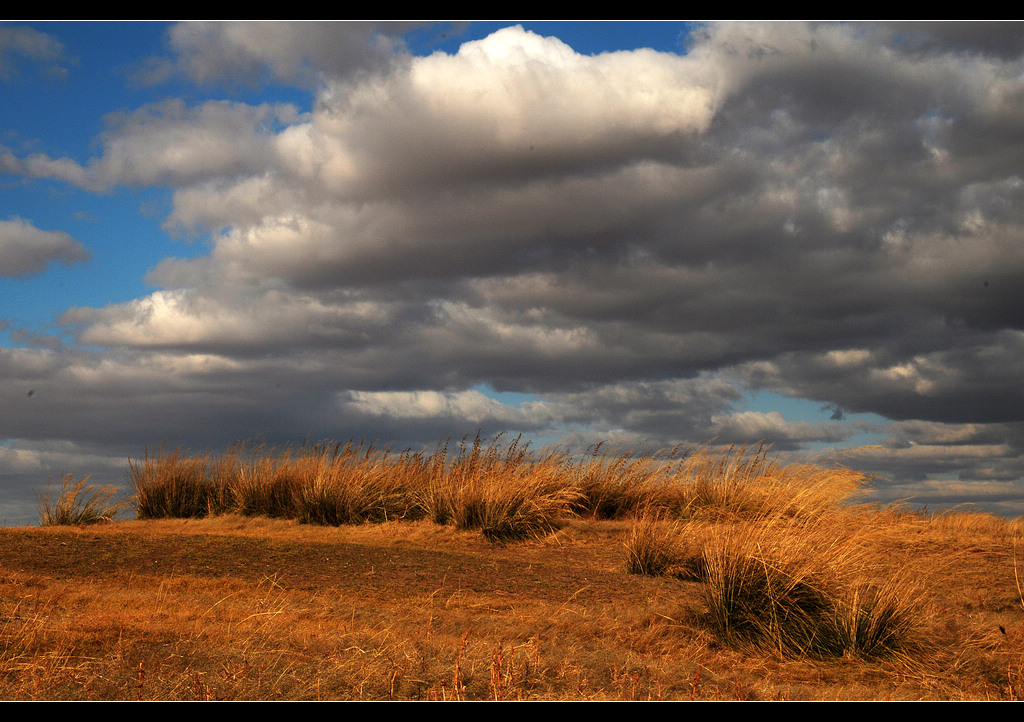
<point x="643" y="234"/>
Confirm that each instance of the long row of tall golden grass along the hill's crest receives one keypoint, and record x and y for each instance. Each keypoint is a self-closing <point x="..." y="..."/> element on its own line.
<point x="501" y="488"/>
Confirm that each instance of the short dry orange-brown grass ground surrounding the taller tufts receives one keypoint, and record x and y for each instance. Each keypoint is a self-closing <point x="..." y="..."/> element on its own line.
<point x="236" y="608"/>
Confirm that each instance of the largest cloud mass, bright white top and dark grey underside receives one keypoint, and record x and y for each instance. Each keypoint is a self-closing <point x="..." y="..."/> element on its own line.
<point x="781" y="196"/>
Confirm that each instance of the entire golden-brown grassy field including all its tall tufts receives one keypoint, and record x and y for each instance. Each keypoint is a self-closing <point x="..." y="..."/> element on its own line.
<point x="489" y="572"/>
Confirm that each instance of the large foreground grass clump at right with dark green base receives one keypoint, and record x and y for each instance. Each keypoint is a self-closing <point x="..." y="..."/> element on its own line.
<point x="803" y="589"/>
